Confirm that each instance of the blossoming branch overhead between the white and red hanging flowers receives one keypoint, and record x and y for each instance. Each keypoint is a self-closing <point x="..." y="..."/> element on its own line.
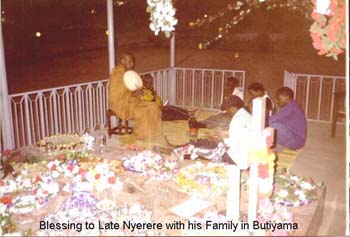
<point x="236" y="11"/>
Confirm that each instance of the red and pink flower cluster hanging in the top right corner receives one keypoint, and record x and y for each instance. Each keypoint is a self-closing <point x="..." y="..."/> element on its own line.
<point x="328" y="30"/>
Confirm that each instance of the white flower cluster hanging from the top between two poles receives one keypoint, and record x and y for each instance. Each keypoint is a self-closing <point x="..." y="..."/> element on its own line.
<point x="162" y="16"/>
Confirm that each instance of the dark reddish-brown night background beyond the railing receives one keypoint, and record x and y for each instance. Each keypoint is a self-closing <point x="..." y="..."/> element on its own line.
<point x="77" y="29"/>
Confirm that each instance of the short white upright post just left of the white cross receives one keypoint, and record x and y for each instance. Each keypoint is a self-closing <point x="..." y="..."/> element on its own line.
<point x="233" y="193"/>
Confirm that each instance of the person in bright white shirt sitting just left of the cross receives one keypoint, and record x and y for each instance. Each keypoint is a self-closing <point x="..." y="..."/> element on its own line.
<point x="240" y="130"/>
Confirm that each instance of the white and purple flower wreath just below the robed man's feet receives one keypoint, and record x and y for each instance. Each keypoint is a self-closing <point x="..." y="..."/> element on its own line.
<point x="151" y="165"/>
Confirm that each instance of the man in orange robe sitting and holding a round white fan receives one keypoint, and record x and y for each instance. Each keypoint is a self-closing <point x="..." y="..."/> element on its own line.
<point x="127" y="103"/>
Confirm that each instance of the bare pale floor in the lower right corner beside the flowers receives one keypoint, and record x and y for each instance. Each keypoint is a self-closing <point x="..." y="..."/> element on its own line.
<point x="324" y="159"/>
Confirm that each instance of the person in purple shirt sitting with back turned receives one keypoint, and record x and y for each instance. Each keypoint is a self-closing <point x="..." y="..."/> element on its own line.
<point x="290" y="121"/>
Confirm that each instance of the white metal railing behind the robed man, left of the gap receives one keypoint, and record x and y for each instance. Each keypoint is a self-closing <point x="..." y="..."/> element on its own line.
<point x="81" y="107"/>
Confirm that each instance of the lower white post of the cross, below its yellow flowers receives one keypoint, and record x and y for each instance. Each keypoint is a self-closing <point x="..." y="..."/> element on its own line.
<point x="253" y="192"/>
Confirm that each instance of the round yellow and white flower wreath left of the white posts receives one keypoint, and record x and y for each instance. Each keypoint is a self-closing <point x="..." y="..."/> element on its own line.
<point x="203" y="180"/>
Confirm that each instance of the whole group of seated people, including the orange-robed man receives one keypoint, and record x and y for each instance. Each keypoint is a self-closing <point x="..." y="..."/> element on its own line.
<point x="146" y="109"/>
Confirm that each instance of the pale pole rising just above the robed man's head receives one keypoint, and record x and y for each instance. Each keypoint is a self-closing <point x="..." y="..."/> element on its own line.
<point x="110" y="35"/>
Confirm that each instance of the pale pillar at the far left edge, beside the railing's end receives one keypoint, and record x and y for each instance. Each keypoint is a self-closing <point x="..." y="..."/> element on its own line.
<point x="6" y="116"/>
